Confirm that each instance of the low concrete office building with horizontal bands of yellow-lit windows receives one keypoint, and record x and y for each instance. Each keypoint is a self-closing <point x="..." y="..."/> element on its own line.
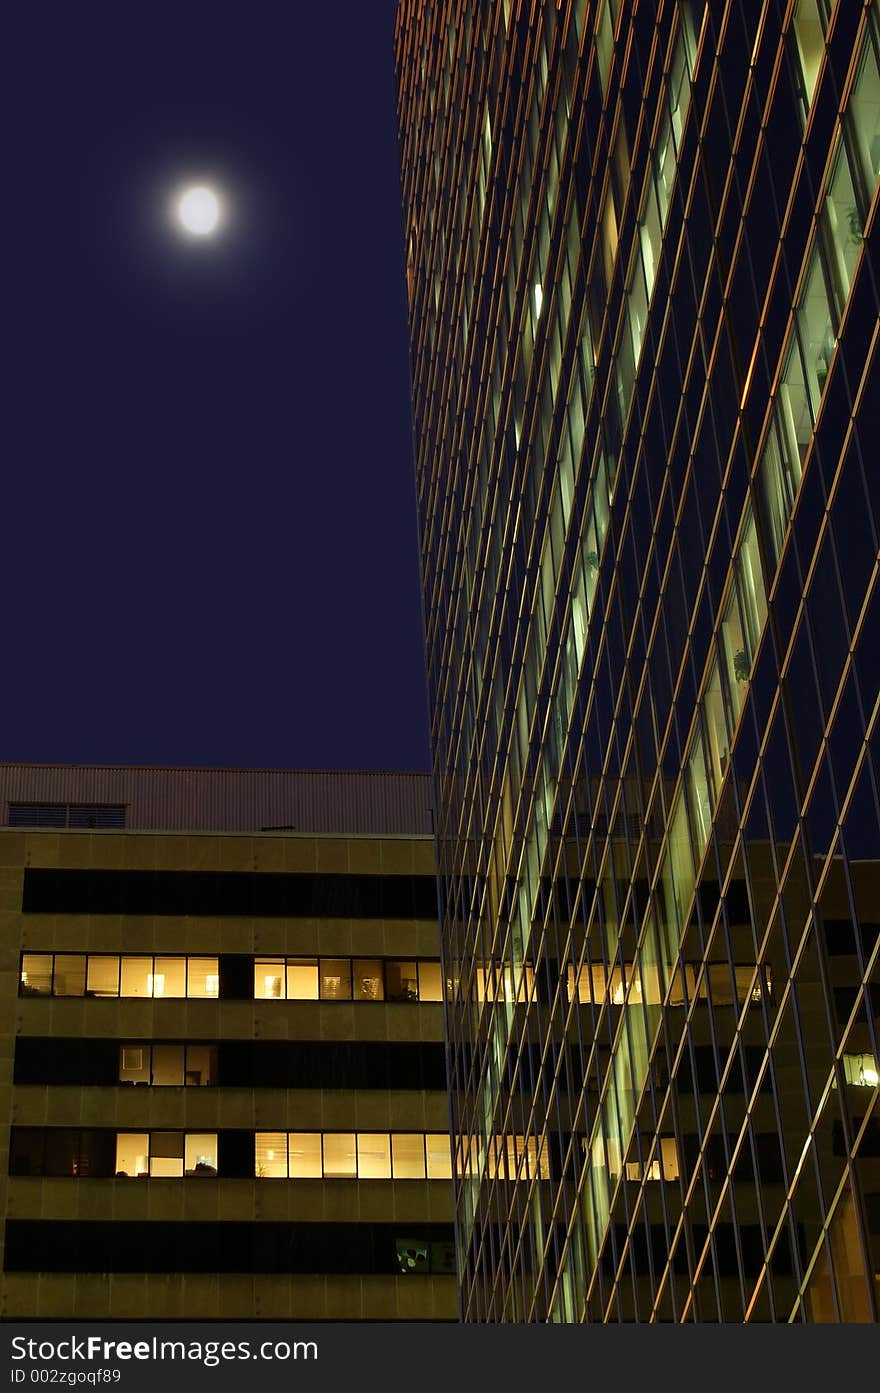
<point x="223" y="1073"/>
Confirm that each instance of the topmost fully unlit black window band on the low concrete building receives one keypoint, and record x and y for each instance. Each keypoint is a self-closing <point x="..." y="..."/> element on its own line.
<point x="230" y="894"/>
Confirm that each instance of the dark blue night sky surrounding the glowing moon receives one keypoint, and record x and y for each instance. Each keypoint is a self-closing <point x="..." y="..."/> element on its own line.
<point x="210" y="509"/>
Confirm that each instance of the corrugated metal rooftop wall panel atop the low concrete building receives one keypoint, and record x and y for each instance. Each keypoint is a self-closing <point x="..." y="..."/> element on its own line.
<point x="233" y="800"/>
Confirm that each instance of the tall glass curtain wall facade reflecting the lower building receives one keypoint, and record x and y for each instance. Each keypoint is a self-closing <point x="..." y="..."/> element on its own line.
<point x="644" y="325"/>
